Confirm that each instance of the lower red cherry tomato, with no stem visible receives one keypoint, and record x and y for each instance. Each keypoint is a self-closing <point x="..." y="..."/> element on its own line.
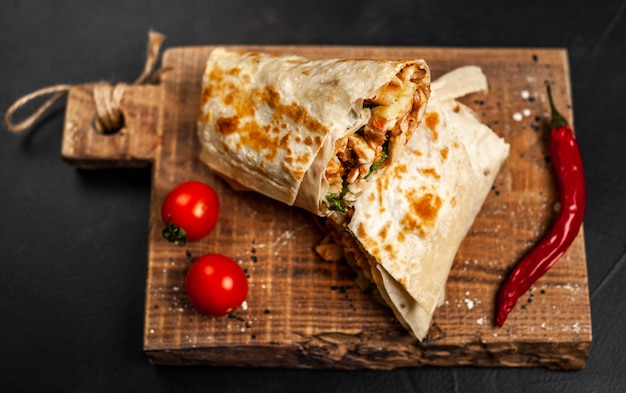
<point x="216" y="285"/>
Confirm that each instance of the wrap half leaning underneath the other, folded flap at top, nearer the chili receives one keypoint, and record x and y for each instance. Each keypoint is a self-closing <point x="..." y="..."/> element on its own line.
<point x="407" y="226"/>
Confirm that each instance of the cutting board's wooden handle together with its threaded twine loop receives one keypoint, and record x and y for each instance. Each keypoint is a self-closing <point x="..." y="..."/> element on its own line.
<point x="105" y="125"/>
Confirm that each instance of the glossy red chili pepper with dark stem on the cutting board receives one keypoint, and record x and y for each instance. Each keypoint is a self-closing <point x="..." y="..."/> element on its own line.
<point x="572" y="194"/>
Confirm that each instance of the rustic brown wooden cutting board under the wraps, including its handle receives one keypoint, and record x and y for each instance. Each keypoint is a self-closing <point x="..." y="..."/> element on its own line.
<point x="303" y="312"/>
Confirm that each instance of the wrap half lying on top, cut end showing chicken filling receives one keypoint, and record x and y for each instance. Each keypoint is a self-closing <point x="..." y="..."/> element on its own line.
<point x="309" y="133"/>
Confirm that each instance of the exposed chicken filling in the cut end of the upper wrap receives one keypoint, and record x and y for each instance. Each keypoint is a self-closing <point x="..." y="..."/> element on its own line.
<point x="393" y="111"/>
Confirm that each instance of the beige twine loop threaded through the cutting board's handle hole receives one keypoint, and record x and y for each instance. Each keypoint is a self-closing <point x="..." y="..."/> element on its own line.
<point x="107" y="97"/>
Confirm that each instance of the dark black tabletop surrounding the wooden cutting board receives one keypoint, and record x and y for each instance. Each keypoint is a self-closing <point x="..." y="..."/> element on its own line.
<point x="73" y="243"/>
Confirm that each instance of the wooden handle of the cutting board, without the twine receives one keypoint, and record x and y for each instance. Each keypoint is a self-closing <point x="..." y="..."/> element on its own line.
<point x="133" y="144"/>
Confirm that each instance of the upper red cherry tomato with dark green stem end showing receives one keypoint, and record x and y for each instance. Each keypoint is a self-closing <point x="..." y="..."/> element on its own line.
<point x="190" y="211"/>
